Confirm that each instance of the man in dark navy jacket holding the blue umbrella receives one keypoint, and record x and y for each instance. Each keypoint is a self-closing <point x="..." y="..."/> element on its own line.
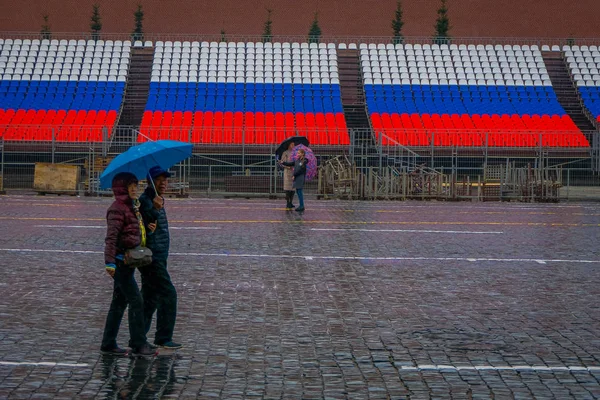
<point x="157" y="289"/>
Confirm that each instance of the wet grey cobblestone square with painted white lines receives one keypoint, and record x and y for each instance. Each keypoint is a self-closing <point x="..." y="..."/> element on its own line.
<point x="358" y="300"/>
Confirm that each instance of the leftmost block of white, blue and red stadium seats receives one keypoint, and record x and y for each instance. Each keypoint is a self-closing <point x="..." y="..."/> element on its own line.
<point x="62" y="90"/>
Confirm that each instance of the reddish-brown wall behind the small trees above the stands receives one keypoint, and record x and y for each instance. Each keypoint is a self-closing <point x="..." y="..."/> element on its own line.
<point x="499" y="18"/>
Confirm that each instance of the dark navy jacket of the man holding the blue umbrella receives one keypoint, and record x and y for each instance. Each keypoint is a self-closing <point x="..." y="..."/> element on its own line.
<point x="159" y="240"/>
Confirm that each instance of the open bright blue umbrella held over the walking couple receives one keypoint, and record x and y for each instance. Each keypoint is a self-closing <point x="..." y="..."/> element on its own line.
<point x="139" y="159"/>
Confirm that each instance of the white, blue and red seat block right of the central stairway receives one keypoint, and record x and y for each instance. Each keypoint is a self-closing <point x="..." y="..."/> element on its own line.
<point x="464" y="96"/>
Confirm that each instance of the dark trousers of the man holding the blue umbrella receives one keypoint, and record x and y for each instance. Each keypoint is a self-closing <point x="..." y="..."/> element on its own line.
<point x="159" y="295"/>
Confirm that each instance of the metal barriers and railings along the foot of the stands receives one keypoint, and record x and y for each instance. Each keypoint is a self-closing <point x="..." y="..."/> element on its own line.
<point x="370" y="169"/>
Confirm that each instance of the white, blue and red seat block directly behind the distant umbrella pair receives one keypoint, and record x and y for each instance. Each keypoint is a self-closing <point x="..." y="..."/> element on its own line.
<point x="250" y="93"/>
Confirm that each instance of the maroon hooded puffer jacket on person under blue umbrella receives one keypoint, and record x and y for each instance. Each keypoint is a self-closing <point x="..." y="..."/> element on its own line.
<point x="123" y="228"/>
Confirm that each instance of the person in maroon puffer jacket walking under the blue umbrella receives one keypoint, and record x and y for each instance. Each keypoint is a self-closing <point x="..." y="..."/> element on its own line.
<point x="125" y="230"/>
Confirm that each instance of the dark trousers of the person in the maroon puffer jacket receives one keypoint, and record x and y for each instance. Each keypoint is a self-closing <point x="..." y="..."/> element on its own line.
<point x="125" y="293"/>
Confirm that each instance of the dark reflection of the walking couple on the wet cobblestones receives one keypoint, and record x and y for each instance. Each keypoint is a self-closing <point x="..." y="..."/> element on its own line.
<point x="138" y="377"/>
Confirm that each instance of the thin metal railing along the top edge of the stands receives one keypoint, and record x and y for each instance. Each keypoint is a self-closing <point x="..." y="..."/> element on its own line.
<point x="153" y="37"/>
